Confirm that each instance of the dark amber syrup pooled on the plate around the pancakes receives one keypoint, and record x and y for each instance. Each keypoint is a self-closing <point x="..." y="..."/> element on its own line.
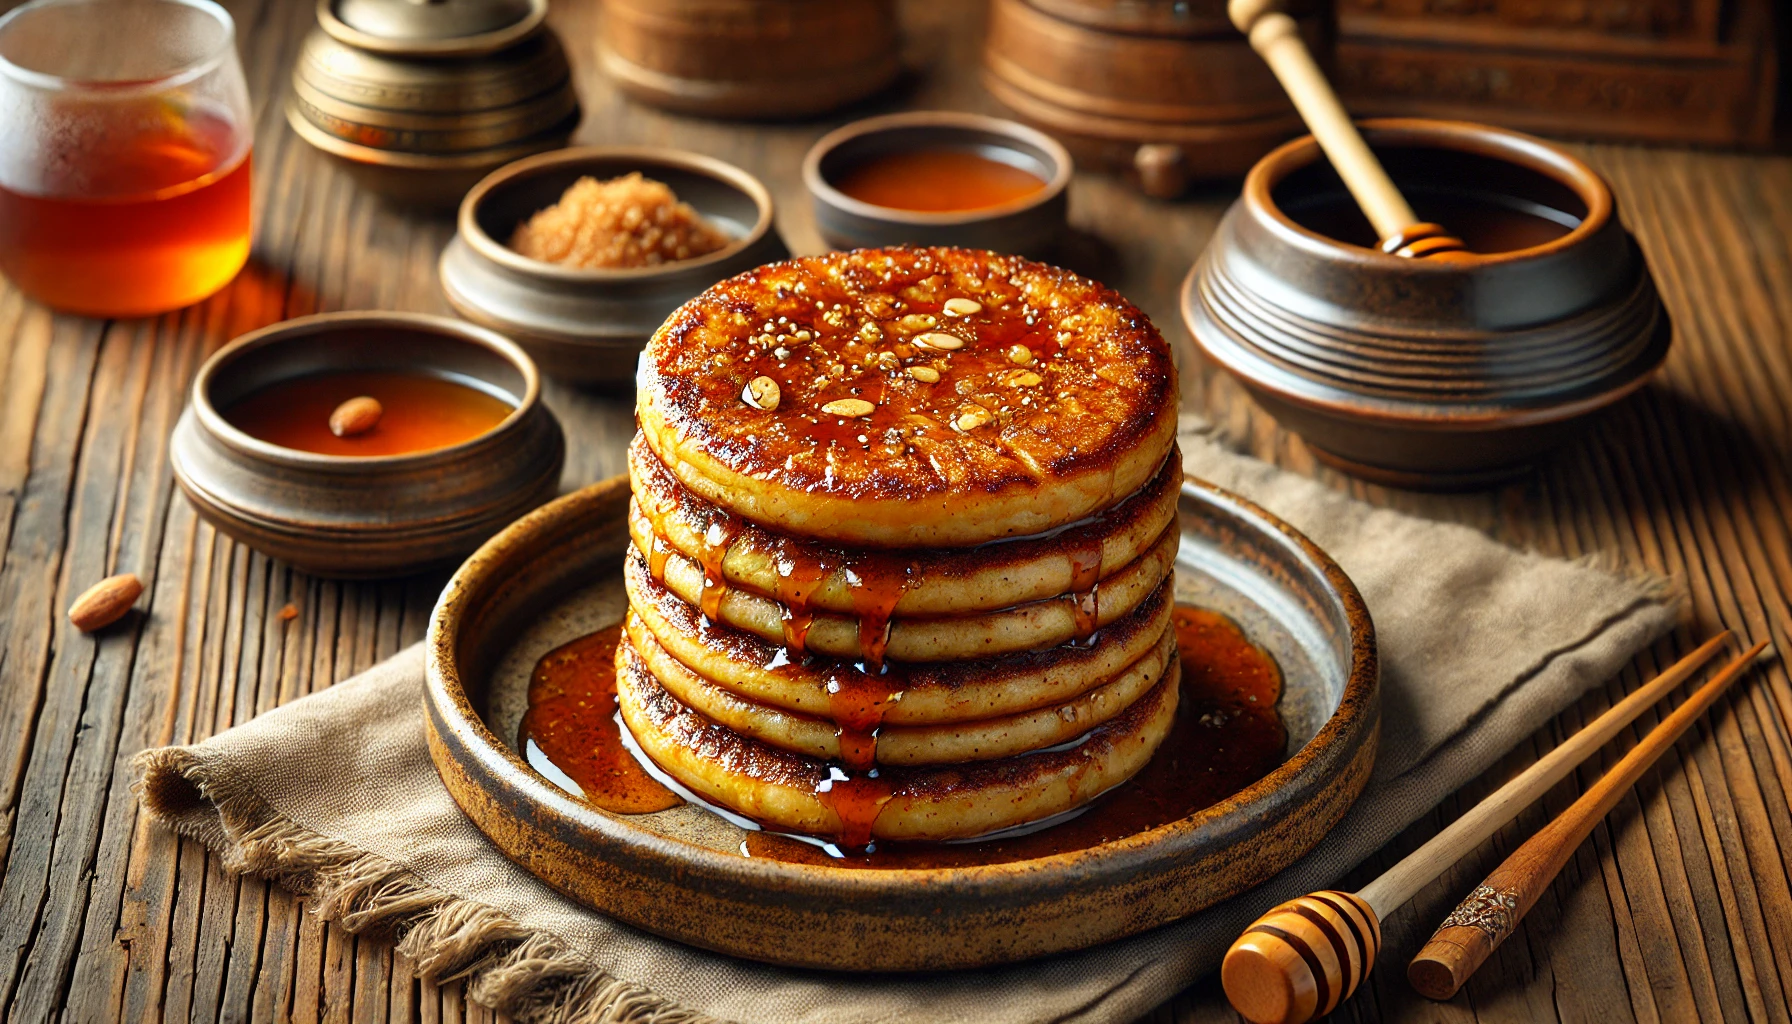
<point x="1228" y="734"/>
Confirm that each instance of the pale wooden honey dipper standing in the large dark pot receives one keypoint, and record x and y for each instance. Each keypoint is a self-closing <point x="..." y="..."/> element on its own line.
<point x="1279" y="40"/>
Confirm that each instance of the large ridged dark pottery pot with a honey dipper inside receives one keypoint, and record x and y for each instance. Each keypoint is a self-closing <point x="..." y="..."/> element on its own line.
<point x="1431" y="374"/>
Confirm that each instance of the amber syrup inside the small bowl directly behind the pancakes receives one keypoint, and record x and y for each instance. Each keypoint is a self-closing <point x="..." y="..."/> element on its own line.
<point x="938" y="182"/>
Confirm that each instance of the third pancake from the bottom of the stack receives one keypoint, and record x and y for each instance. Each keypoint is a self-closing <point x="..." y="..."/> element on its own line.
<point x="931" y="695"/>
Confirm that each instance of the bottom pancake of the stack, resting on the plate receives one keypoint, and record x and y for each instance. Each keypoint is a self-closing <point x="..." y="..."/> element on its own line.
<point x="806" y="795"/>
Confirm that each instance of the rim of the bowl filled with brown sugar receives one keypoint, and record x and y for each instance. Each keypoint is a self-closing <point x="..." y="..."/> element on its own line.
<point x="650" y="157"/>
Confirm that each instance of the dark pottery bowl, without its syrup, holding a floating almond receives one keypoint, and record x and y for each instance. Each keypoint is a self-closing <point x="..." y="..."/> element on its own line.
<point x="366" y="517"/>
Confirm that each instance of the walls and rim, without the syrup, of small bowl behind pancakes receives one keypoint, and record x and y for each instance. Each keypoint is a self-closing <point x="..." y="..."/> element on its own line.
<point x="1026" y="227"/>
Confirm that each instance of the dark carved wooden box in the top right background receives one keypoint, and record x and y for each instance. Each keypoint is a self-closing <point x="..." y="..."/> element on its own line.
<point x="1662" y="71"/>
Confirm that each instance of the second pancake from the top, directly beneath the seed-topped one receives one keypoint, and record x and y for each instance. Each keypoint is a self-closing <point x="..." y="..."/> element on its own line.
<point x="809" y="577"/>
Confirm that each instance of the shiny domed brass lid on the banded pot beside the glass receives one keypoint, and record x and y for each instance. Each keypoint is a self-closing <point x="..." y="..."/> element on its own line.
<point x="431" y="28"/>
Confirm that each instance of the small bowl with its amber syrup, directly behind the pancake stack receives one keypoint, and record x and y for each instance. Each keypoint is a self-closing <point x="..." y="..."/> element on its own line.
<point x="940" y="178"/>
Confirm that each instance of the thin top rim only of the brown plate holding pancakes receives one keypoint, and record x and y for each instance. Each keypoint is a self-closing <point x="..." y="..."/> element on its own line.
<point x="449" y="697"/>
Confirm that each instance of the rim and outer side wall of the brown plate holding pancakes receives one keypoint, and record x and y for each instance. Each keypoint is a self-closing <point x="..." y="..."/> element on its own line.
<point x="533" y="822"/>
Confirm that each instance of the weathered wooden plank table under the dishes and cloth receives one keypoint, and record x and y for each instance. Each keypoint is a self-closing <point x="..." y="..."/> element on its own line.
<point x="1678" y="910"/>
